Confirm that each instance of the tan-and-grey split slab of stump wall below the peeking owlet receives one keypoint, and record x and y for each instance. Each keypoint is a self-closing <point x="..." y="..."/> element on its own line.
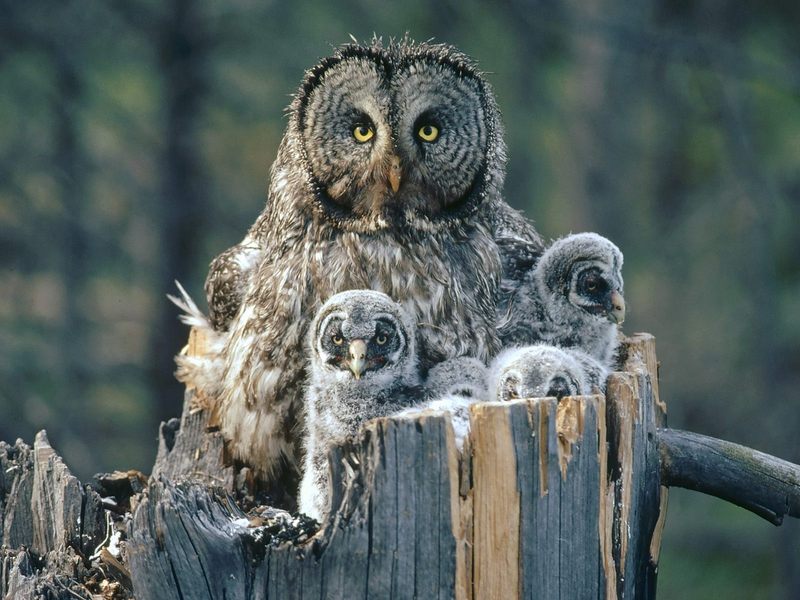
<point x="539" y="470"/>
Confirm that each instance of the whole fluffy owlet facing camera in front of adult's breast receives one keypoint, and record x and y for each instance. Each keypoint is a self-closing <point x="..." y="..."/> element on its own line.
<point x="363" y="364"/>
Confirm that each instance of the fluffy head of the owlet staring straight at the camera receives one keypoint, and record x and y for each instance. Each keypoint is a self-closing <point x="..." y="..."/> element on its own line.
<point x="363" y="335"/>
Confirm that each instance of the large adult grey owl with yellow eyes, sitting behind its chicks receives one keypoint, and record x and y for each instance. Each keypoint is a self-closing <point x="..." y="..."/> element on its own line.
<point x="388" y="178"/>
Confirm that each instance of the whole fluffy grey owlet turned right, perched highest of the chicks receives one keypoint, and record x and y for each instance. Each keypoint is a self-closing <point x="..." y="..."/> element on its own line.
<point x="572" y="297"/>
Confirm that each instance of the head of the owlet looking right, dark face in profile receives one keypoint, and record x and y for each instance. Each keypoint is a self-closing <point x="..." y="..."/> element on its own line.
<point x="583" y="272"/>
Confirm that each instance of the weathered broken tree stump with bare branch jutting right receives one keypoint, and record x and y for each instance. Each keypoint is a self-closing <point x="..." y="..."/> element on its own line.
<point x="547" y="499"/>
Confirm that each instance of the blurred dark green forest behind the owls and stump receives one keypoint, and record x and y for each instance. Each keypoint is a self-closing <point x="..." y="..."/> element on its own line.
<point x="136" y="136"/>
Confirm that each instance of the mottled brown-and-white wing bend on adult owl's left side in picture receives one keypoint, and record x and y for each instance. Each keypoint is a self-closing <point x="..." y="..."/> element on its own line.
<point x="227" y="281"/>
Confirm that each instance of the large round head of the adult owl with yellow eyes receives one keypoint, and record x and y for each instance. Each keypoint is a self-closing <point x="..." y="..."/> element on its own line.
<point x="398" y="134"/>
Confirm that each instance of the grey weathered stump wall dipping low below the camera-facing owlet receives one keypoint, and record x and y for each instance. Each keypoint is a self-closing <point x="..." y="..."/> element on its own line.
<point x="394" y="532"/>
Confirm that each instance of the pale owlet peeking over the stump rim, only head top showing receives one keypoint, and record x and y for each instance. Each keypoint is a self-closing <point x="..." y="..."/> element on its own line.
<point x="540" y="371"/>
